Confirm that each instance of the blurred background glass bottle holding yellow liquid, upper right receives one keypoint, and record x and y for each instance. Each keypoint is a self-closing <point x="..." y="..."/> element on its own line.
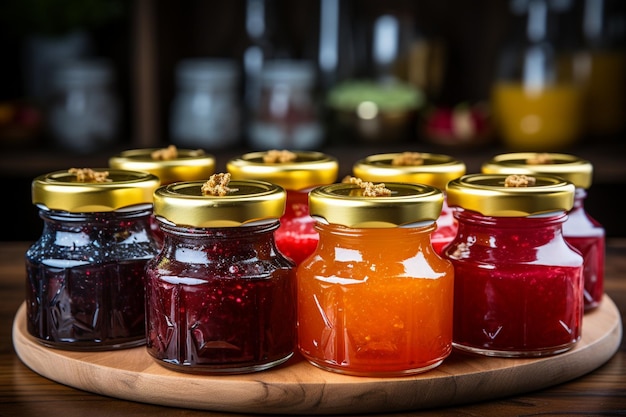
<point x="535" y="101"/>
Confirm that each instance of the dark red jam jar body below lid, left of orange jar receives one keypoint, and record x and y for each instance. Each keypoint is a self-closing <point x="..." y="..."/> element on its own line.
<point x="220" y="300"/>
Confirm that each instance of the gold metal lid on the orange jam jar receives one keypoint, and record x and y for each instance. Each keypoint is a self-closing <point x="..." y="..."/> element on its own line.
<point x="346" y="205"/>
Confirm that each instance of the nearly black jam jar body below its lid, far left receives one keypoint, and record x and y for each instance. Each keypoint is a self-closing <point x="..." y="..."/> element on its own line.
<point x="85" y="279"/>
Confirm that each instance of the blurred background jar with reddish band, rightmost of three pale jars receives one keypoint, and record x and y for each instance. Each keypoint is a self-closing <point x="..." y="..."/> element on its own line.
<point x="287" y="114"/>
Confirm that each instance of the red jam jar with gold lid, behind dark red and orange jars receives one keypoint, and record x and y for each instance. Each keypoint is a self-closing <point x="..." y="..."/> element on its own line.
<point x="297" y="172"/>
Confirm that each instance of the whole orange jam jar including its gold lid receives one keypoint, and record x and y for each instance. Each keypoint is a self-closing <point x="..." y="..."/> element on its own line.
<point x="375" y="299"/>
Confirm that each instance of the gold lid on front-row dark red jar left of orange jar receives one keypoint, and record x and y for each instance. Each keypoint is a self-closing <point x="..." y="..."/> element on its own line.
<point x="184" y="204"/>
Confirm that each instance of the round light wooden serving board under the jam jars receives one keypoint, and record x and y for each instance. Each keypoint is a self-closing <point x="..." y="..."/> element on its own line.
<point x="297" y="387"/>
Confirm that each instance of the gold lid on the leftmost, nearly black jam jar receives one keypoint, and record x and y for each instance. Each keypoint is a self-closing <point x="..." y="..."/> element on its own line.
<point x="62" y="190"/>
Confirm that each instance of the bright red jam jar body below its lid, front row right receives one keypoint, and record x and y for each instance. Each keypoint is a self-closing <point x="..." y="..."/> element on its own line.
<point x="518" y="286"/>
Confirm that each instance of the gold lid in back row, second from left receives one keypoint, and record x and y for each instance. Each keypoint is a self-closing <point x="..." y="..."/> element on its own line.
<point x="308" y="169"/>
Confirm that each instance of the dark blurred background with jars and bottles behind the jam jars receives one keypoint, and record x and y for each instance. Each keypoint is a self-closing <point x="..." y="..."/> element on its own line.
<point x="81" y="80"/>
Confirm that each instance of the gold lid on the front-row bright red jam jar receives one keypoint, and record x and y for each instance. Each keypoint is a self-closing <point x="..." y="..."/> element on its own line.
<point x="488" y="195"/>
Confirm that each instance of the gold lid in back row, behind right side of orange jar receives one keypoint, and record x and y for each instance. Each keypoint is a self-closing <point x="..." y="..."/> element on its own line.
<point x="418" y="167"/>
